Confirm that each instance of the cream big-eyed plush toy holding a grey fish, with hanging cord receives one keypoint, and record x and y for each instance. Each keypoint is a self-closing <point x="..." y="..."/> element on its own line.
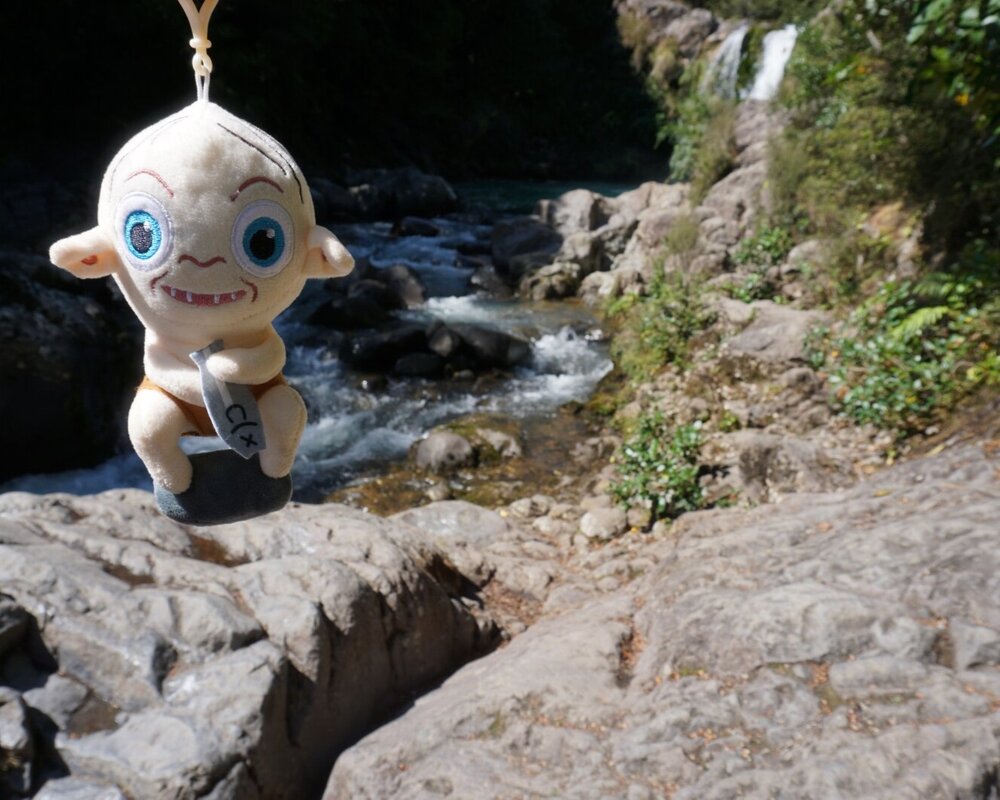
<point x="207" y="225"/>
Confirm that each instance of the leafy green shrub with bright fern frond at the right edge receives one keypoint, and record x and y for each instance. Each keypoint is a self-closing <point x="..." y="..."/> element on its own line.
<point x="917" y="347"/>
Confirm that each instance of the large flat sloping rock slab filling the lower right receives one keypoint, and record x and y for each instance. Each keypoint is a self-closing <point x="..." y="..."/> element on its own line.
<point x="844" y="644"/>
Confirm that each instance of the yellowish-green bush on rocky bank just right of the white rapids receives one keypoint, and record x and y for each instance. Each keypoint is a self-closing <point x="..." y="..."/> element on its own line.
<point x="656" y="329"/>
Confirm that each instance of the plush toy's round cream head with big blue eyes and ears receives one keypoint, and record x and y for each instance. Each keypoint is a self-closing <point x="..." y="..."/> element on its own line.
<point x="207" y="225"/>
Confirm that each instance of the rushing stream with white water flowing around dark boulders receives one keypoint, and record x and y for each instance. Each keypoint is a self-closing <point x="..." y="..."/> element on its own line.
<point x="354" y="431"/>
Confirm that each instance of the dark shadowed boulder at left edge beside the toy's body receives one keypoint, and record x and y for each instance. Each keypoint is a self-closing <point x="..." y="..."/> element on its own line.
<point x="70" y="356"/>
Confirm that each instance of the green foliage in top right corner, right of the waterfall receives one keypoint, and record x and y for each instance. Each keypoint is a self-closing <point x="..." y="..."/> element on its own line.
<point x="895" y="99"/>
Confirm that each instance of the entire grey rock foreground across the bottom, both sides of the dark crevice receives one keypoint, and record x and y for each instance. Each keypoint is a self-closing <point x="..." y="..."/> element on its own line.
<point x="836" y="643"/>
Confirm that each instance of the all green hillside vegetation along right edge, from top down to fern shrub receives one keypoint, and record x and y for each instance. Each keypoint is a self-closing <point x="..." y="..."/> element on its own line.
<point x="900" y="103"/>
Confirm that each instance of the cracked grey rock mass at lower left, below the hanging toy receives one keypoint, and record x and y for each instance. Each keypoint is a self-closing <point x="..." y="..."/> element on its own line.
<point x="140" y="659"/>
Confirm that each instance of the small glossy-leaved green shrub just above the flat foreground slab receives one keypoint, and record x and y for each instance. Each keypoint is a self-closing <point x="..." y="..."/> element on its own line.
<point x="659" y="468"/>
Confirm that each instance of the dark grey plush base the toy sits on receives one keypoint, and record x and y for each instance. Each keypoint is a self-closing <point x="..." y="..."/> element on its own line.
<point x="224" y="488"/>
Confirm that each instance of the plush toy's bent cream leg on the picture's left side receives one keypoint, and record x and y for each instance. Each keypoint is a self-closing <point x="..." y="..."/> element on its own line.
<point x="155" y="426"/>
